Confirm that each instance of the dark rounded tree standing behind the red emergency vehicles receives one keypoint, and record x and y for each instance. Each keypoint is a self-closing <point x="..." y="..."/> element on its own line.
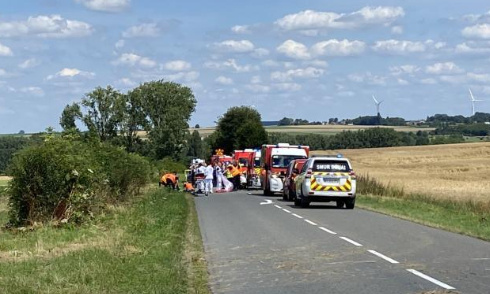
<point x="239" y="128"/>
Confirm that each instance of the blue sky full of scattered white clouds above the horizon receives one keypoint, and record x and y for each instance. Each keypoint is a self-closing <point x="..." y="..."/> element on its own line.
<point x="310" y="59"/>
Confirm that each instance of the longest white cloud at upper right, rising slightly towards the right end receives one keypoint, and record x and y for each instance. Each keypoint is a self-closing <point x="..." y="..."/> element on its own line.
<point x="313" y="20"/>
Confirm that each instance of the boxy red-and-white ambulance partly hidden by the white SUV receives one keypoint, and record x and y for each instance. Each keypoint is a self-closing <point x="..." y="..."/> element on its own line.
<point x="275" y="160"/>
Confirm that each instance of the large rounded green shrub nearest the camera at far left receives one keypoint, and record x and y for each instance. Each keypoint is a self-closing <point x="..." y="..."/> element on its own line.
<point x="58" y="179"/>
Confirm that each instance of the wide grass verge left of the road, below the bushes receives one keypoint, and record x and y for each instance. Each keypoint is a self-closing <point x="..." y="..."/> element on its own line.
<point x="150" y="246"/>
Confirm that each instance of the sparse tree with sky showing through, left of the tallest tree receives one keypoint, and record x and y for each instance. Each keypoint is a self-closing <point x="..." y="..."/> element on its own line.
<point x="103" y="112"/>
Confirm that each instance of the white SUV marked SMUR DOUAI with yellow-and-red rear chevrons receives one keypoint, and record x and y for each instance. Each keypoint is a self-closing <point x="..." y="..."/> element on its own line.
<point x="325" y="179"/>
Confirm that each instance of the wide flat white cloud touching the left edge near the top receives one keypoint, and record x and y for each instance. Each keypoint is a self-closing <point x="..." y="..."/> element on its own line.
<point x="53" y="26"/>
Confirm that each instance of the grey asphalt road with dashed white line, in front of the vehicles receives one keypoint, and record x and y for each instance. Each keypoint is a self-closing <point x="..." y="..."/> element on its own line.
<point x="254" y="247"/>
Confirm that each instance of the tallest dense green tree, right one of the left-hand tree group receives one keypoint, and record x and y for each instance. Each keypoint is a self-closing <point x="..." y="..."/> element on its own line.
<point x="168" y="107"/>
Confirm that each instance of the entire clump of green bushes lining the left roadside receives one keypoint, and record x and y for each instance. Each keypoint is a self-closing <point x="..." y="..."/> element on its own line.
<point x="67" y="179"/>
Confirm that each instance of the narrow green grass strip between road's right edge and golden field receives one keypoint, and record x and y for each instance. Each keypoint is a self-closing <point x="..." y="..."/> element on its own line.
<point x="454" y="217"/>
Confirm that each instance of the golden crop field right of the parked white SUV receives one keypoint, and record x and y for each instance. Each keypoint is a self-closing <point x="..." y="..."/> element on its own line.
<point x="457" y="172"/>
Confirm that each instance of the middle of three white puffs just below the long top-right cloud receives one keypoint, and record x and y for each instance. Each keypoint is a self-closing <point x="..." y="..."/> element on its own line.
<point x="336" y="47"/>
